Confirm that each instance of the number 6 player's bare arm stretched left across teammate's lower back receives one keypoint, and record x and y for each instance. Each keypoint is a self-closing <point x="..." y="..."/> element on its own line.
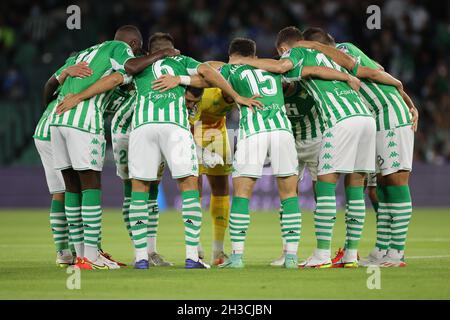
<point x="104" y="84"/>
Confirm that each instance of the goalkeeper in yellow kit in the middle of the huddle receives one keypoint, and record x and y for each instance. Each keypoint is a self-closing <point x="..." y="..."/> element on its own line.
<point x="208" y="109"/>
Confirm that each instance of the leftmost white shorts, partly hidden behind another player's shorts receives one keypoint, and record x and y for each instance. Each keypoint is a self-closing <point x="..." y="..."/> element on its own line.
<point x="55" y="181"/>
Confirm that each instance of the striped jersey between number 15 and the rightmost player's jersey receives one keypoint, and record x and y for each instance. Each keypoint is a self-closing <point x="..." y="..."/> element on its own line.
<point x="335" y="99"/>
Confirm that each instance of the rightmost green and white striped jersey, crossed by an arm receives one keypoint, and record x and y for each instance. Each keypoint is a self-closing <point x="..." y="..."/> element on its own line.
<point x="386" y="103"/>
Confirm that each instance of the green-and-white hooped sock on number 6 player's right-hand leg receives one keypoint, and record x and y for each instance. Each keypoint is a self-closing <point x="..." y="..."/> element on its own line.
<point x="192" y="216"/>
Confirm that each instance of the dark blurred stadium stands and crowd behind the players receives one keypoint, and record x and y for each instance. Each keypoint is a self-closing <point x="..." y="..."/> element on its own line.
<point x="413" y="44"/>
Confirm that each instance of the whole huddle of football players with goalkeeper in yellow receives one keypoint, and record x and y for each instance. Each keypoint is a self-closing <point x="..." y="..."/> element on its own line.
<point x="322" y="106"/>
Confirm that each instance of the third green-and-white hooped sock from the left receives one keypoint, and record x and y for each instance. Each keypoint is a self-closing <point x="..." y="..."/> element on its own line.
<point x="91" y="212"/>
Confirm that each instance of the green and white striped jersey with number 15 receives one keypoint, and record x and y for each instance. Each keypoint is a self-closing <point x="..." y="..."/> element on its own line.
<point x="249" y="81"/>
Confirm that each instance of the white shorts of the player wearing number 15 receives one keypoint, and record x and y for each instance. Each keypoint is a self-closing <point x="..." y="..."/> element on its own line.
<point x="251" y="153"/>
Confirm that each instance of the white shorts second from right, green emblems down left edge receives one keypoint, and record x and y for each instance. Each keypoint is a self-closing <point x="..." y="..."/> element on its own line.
<point x="349" y="147"/>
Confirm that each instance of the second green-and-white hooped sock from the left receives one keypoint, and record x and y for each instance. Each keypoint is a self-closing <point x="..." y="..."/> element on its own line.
<point x="72" y="204"/>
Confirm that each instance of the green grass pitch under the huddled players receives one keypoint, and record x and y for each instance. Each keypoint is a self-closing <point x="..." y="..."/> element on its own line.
<point x="27" y="269"/>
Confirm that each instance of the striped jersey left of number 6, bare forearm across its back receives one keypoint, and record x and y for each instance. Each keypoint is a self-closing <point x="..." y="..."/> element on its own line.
<point x="103" y="59"/>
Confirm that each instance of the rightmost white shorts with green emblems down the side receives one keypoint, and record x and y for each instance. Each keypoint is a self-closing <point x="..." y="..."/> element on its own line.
<point x="394" y="150"/>
